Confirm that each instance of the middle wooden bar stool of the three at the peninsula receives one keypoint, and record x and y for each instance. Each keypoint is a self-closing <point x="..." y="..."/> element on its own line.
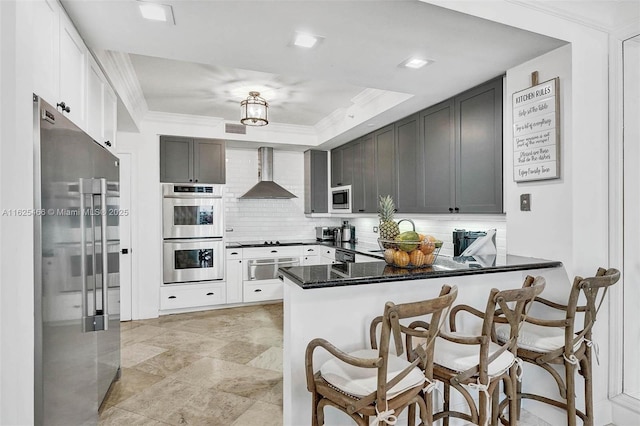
<point x="478" y="362"/>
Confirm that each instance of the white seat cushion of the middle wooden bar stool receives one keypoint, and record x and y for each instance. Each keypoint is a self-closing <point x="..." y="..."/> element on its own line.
<point x="459" y="357"/>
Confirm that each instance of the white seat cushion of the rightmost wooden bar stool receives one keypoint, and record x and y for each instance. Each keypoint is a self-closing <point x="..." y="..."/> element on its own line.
<point x="537" y="338"/>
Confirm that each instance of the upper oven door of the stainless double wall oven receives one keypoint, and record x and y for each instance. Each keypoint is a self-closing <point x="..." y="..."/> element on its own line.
<point x="192" y="217"/>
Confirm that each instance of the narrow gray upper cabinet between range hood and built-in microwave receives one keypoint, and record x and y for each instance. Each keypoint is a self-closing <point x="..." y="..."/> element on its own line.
<point x="316" y="191"/>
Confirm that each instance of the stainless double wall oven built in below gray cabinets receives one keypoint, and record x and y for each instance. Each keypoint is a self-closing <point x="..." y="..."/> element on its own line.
<point x="193" y="226"/>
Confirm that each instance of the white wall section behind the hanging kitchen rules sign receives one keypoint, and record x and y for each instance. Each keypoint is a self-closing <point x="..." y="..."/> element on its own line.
<point x="551" y="200"/>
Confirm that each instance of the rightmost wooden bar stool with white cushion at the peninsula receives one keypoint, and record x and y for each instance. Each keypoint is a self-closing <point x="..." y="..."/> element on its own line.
<point x="546" y="342"/>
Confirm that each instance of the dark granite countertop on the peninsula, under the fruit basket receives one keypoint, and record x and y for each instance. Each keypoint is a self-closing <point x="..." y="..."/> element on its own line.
<point x="346" y="274"/>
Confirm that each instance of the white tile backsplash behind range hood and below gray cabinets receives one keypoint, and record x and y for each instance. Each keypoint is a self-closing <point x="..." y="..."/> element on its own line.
<point x="285" y="219"/>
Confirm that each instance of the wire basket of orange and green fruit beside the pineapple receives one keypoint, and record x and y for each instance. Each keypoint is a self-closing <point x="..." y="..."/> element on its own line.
<point x="410" y="253"/>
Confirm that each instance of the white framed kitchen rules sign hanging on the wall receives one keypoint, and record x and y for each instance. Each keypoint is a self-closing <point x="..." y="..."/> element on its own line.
<point x="536" y="132"/>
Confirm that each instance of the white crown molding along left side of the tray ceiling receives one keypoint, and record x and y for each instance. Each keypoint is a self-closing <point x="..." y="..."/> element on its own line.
<point x="119" y="69"/>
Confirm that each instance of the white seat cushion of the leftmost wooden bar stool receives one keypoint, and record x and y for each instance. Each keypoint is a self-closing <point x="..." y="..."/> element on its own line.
<point x="361" y="382"/>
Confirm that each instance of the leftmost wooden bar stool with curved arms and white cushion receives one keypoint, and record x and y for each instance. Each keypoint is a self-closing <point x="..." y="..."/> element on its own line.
<point x="375" y="382"/>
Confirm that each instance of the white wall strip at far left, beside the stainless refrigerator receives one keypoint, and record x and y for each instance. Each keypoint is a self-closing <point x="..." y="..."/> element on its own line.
<point x="16" y="192"/>
